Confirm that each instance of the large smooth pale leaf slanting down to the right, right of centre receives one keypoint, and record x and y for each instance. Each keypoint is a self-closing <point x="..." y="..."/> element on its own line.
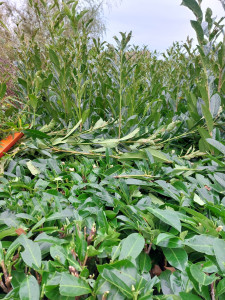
<point x="167" y="216"/>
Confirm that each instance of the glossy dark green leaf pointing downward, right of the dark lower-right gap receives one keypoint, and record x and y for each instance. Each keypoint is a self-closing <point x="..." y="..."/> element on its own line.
<point x="176" y="257"/>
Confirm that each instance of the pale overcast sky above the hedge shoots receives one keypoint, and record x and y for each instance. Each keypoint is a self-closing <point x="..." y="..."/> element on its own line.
<point x="156" y="23"/>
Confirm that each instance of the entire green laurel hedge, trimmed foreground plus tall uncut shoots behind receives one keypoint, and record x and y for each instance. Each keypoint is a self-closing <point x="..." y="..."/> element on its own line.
<point x="117" y="191"/>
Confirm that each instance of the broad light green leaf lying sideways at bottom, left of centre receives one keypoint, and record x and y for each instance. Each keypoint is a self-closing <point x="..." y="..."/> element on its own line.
<point x="71" y="286"/>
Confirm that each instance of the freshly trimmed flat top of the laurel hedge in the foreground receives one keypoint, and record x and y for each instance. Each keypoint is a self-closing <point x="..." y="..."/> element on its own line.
<point x="74" y="227"/>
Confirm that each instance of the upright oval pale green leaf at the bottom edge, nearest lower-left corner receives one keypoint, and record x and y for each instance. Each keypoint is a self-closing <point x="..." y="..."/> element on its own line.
<point x="29" y="289"/>
